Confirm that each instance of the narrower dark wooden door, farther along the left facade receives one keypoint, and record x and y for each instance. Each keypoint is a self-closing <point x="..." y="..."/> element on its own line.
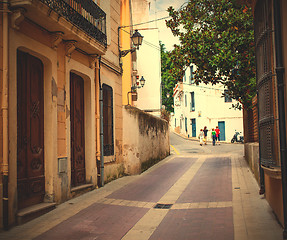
<point x="78" y="171"/>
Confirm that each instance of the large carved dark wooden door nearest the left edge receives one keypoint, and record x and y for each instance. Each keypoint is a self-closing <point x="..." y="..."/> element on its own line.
<point x="30" y="130"/>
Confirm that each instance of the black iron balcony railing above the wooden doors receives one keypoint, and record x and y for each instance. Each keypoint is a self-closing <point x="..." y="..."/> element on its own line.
<point x="85" y="14"/>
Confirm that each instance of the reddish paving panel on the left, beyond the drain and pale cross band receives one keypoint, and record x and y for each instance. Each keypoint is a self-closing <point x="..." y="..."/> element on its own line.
<point x="151" y="187"/>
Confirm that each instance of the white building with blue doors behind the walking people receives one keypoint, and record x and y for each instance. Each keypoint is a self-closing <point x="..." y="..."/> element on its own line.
<point x="204" y="105"/>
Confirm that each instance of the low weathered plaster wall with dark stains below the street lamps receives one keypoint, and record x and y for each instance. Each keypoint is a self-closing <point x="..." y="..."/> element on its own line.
<point x="146" y="140"/>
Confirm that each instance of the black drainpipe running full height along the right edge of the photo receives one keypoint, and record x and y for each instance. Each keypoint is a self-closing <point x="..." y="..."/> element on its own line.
<point x="281" y="106"/>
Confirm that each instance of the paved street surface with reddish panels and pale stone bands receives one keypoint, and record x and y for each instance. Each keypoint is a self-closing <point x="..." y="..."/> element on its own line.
<point x="197" y="193"/>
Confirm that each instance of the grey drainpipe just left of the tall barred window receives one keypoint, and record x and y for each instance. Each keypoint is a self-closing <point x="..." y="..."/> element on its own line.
<point x="101" y="126"/>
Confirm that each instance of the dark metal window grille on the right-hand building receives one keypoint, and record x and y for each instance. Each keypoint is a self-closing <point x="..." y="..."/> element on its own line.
<point x="265" y="86"/>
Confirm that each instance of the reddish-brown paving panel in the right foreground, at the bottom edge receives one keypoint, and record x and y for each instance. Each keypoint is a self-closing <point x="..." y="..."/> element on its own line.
<point x="196" y="224"/>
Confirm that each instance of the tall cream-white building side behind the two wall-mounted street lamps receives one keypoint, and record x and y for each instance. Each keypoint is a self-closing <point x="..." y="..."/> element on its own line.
<point x="148" y="58"/>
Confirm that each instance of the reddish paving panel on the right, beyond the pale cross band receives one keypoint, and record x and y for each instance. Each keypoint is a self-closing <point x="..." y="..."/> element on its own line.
<point x="212" y="183"/>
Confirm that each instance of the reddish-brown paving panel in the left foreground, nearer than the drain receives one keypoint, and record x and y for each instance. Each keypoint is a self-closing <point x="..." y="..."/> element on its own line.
<point x="99" y="221"/>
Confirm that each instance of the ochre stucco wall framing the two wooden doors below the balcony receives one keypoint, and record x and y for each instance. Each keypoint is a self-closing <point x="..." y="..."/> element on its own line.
<point x="57" y="66"/>
